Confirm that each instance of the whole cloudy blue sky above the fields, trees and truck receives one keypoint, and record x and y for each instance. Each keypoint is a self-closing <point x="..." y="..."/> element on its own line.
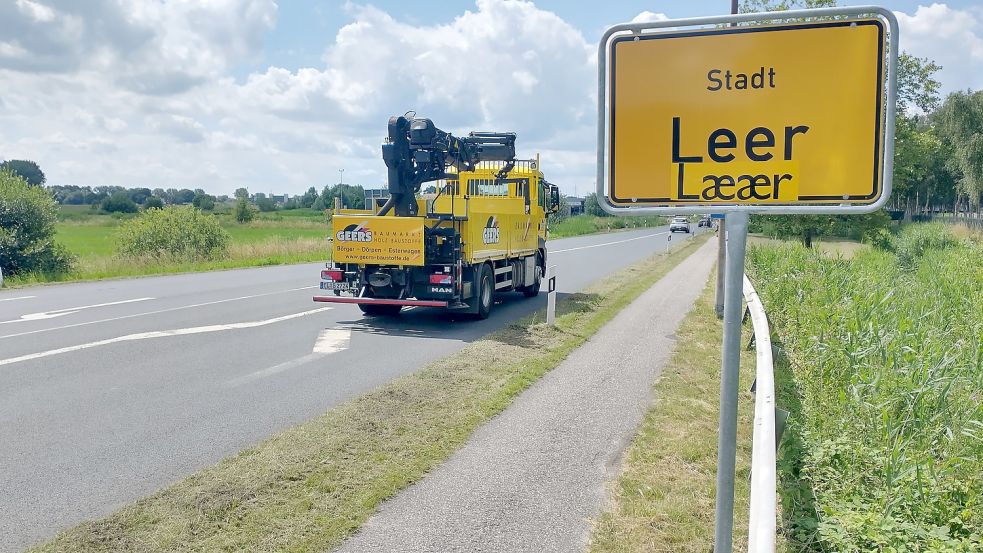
<point x="278" y="95"/>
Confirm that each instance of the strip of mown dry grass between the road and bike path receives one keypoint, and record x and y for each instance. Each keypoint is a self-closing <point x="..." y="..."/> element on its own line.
<point x="310" y="487"/>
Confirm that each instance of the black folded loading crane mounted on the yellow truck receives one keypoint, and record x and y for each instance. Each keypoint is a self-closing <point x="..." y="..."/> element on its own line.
<point x="416" y="151"/>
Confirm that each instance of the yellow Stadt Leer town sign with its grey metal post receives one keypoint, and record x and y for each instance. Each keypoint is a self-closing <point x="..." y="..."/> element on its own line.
<point x="789" y="112"/>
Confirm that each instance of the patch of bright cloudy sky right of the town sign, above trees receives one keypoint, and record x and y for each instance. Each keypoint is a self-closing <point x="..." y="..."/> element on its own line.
<point x="952" y="38"/>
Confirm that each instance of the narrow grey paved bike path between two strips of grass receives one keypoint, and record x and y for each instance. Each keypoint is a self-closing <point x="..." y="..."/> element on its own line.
<point x="534" y="477"/>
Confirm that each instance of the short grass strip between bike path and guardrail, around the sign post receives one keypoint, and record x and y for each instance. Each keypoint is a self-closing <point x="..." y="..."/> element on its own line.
<point x="664" y="499"/>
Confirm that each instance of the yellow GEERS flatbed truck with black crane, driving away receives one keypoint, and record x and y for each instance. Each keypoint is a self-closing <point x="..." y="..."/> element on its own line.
<point x="480" y="231"/>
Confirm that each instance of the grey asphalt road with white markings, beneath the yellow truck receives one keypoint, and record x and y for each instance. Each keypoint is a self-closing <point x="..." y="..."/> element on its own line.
<point x="110" y="390"/>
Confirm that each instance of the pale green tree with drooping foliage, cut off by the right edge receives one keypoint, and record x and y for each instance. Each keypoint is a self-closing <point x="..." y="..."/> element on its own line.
<point x="961" y="126"/>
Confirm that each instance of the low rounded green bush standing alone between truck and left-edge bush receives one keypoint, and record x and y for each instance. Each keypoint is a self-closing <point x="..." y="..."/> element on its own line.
<point x="180" y="233"/>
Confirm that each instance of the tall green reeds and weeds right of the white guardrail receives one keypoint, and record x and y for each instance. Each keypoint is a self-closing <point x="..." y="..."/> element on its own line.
<point x="881" y="363"/>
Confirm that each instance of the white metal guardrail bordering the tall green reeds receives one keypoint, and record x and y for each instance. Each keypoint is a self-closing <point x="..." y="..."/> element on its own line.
<point x="763" y="516"/>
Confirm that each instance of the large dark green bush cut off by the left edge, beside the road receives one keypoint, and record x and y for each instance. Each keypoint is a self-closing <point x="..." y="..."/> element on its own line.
<point x="27" y="226"/>
